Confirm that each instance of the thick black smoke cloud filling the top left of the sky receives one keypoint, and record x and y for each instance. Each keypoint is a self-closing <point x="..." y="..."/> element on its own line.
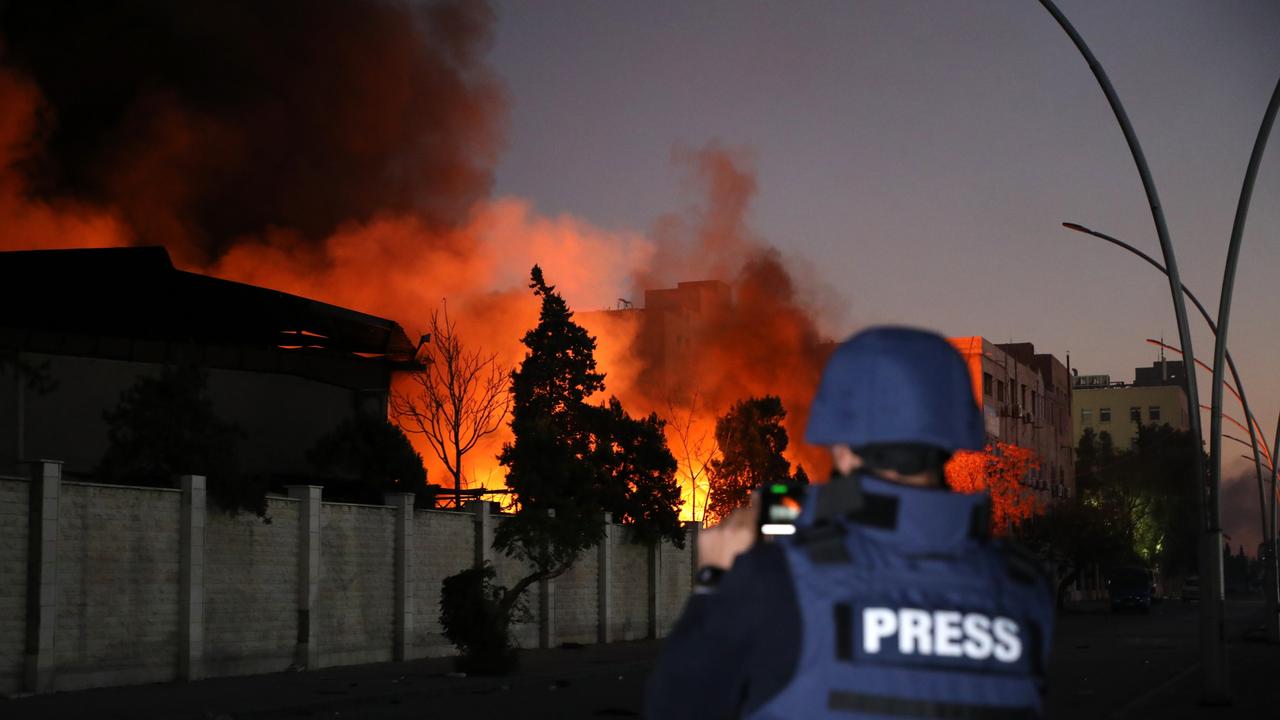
<point x="204" y="124"/>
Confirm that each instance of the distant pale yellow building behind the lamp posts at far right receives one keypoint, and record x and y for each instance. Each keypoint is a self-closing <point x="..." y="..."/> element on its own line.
<point x="1155" y="398"/>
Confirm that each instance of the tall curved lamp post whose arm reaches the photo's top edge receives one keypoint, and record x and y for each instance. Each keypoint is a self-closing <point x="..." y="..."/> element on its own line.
<point x="1214" y="678"/>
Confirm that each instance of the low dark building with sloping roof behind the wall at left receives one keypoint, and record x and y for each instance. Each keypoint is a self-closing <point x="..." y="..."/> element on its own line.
<point x="284" y="368"/>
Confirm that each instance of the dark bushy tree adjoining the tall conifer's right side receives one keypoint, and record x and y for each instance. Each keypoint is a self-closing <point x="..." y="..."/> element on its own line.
<point x="637" y="473"/>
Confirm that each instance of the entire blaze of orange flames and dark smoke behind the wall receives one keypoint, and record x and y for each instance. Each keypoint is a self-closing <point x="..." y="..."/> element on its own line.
<point x="382" y="203"/>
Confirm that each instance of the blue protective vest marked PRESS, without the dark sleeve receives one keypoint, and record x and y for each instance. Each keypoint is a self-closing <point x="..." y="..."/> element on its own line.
<point x="909" y="612"/>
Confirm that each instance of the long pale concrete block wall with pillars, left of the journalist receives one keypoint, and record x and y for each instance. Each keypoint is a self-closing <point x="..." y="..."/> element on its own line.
<point x="144" y="585"/>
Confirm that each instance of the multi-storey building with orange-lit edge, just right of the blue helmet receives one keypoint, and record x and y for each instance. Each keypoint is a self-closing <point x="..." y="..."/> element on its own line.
<point x="1026" y="400"/>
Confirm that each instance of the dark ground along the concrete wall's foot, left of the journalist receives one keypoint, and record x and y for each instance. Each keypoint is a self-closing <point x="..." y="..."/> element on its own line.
<point x="592" y="682"/>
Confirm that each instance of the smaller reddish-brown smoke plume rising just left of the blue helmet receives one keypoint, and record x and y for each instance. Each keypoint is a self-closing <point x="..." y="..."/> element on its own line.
<point x="765" y="340"/>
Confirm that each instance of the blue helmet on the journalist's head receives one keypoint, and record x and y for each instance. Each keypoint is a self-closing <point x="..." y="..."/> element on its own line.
<point x="897" y="386"/>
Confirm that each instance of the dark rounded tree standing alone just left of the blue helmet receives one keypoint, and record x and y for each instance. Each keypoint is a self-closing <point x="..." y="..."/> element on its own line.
<point x="752" y="441"/>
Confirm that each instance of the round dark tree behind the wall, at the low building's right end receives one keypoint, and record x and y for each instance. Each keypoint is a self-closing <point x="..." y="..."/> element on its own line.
<point x="367" y="457"/>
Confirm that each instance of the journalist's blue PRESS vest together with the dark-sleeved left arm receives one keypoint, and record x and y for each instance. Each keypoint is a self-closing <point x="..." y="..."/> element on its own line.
<point x="903" y="609"/>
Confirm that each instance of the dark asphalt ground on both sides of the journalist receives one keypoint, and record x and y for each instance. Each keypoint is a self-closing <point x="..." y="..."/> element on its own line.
<point x="1105" y="666"/>
